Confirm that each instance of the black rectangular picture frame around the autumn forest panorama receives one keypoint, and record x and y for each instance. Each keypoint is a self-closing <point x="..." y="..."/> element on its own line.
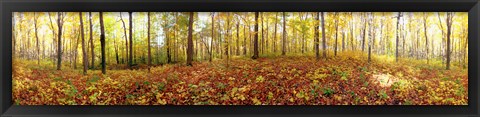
<point x="9" y="6"/>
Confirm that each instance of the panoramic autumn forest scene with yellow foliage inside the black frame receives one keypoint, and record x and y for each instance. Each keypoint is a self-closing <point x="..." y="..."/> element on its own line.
<point x="240" y="58"/>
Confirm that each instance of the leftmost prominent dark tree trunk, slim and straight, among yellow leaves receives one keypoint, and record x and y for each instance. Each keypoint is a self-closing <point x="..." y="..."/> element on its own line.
<point x="59" y="49"/>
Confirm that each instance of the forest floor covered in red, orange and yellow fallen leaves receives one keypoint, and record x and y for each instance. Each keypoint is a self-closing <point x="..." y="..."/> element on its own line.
<point x="347" y="79"/>
